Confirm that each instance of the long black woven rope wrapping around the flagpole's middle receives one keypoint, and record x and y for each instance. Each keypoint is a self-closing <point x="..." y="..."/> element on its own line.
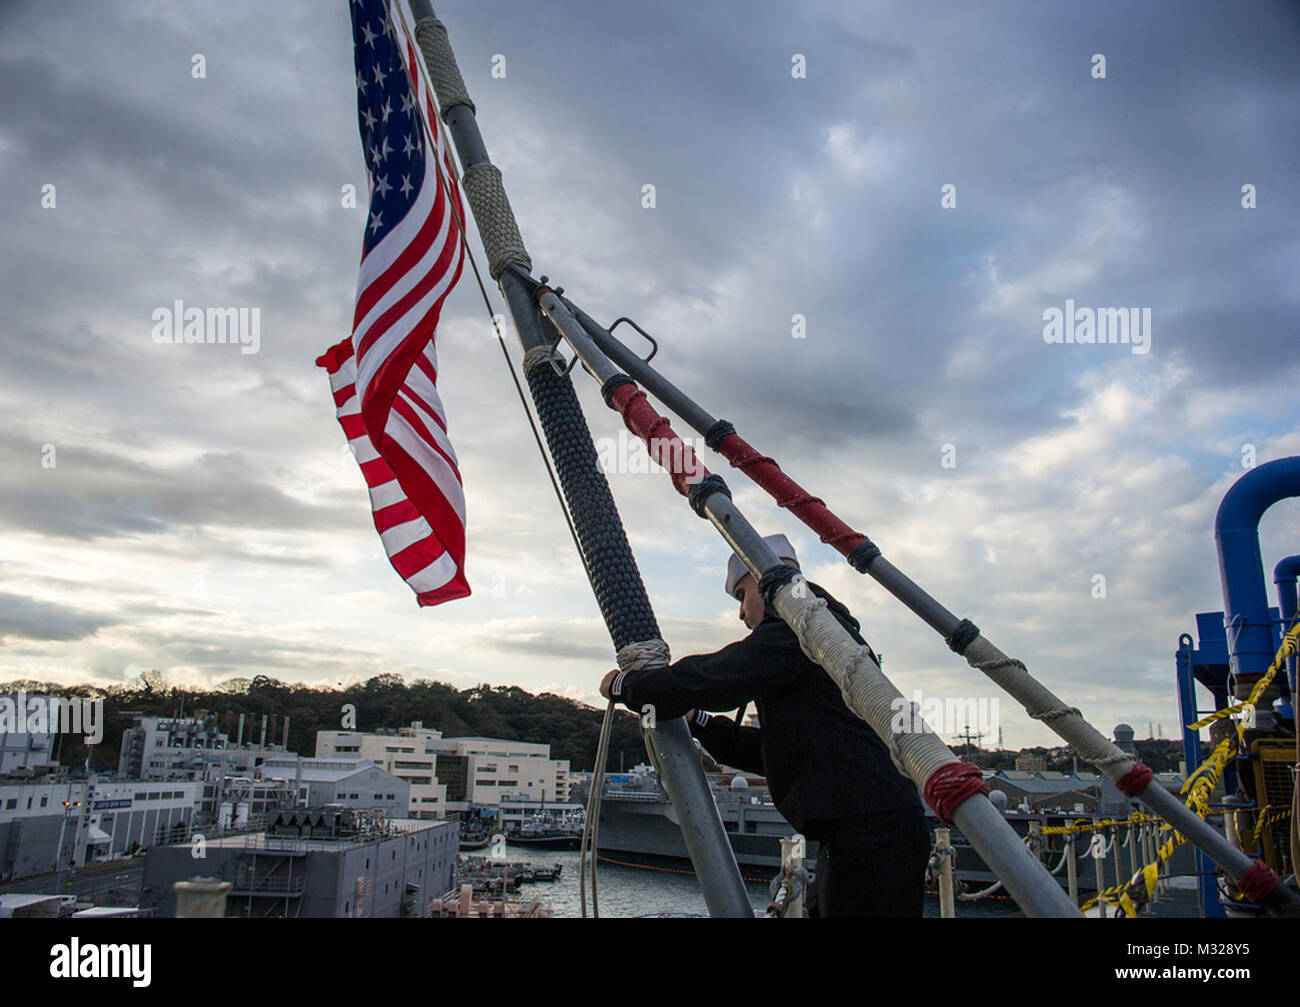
<point x="616" y="579"/>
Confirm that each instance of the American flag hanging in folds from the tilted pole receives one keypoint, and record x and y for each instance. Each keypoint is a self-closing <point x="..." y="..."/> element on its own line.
<point x="384" y="376"/>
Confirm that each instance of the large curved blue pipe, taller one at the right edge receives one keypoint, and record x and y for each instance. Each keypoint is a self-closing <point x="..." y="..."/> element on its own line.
<point x="1237" y="531"/>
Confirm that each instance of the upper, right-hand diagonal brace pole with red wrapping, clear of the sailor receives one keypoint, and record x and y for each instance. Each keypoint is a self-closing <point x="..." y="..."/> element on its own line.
<point x="961" y="636"/>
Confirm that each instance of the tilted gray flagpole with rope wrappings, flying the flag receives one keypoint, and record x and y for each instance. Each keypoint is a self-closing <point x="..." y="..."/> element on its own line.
<point x="609" y="559"/>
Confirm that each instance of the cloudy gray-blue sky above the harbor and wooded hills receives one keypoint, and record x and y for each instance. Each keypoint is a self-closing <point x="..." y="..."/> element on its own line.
<point x="194" y="510"/>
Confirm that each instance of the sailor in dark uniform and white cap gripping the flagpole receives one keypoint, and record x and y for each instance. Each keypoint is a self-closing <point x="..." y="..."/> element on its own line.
<point x="826" y="770"/>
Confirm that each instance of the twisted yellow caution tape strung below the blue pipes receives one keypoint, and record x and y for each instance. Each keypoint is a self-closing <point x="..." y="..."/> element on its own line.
<point x="1199" y="788"/>
